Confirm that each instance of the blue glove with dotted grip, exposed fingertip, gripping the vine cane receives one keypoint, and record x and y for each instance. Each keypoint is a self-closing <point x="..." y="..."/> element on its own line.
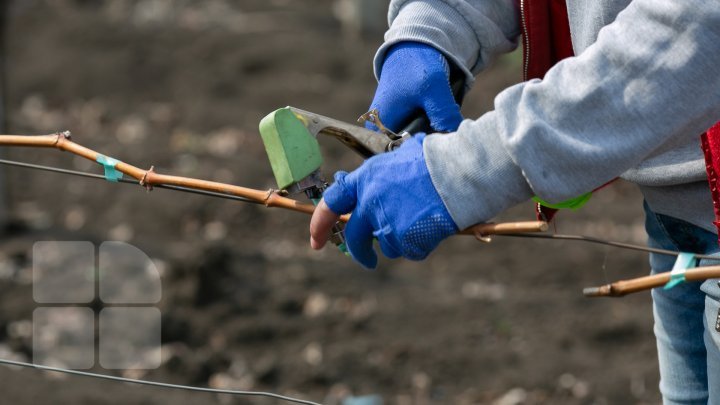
<point x="392" y="198"/>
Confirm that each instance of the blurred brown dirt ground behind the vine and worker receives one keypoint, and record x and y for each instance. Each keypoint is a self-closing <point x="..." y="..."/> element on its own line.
<point x="246" y="304"/>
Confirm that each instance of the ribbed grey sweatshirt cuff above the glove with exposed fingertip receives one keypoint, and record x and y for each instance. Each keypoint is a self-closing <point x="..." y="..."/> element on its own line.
<point x="473" y="172"/>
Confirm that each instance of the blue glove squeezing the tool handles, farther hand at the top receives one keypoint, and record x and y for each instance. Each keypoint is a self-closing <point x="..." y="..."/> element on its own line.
<point x="415" y="77"/>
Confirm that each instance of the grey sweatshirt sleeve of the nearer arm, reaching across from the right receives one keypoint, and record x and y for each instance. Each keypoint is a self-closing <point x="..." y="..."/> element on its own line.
<point x="649" y="82"/>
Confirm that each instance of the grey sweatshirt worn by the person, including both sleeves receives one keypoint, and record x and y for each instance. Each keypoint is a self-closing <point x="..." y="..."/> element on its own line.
<point x="644" y="85"/>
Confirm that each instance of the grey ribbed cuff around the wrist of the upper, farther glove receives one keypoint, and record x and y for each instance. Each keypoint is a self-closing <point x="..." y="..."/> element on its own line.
<point x="434" y="23"/>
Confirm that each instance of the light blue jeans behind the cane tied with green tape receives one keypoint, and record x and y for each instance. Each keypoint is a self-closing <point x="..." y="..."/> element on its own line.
<point x="686" y="316"/>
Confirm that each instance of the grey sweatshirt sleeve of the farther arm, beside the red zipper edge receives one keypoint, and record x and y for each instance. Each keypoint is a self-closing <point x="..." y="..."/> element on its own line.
<point x="470" y="33"/>
